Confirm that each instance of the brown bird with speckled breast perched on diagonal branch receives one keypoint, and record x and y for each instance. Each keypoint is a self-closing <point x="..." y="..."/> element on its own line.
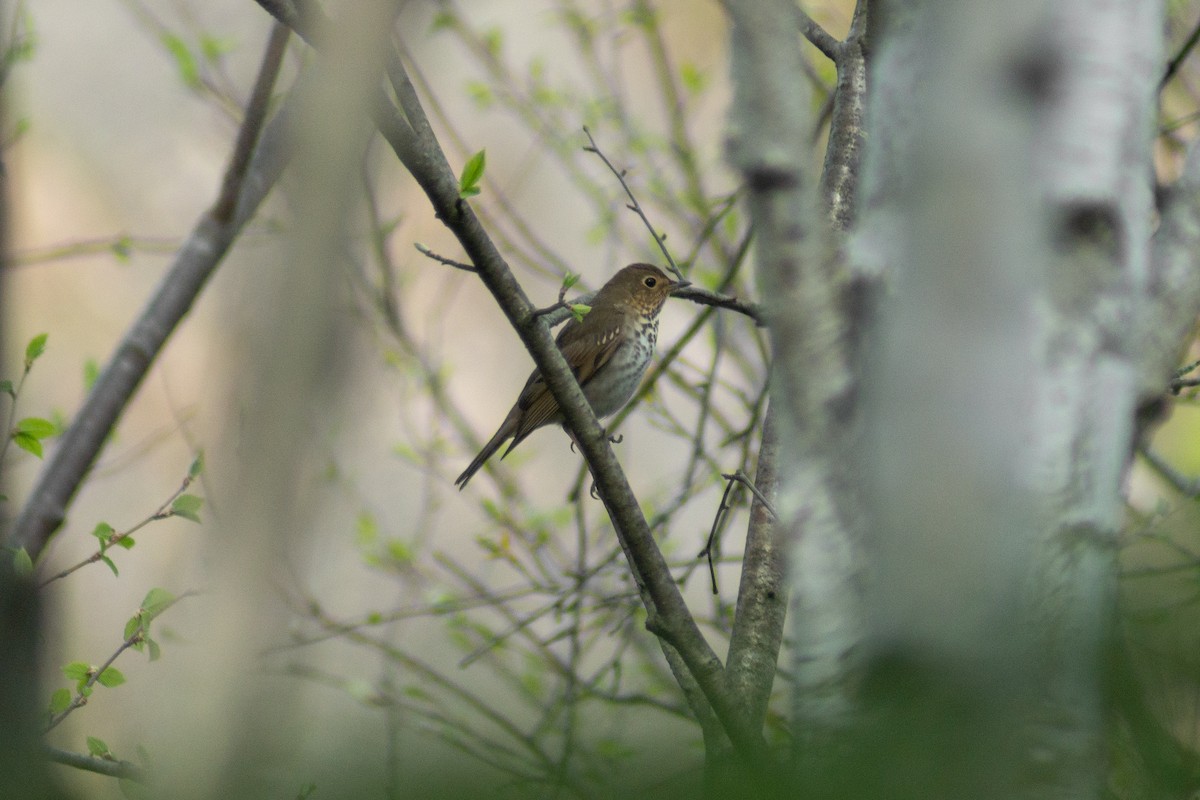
<point x="608" y="351"/>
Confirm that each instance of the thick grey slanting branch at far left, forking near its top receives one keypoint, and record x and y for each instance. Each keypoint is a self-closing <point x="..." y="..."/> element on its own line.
<point x="251" y="176"/>
